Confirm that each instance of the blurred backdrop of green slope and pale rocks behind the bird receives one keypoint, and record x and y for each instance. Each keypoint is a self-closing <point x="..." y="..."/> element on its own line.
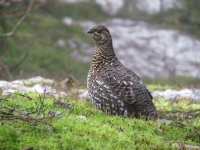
<point x="159" y="40"/>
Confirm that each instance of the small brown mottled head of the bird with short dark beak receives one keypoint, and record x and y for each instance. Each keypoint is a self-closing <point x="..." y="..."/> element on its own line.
<point x="100" y="34"/>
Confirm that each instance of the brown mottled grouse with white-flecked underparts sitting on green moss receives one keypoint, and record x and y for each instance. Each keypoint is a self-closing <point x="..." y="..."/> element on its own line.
<point x="112" y="87"/>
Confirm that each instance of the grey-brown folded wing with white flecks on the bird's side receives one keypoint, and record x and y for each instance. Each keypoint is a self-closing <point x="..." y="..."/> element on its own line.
<point x="126" y="86"/>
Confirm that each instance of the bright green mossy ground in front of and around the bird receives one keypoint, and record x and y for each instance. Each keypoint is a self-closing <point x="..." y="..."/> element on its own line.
<point x="68" y="130"/>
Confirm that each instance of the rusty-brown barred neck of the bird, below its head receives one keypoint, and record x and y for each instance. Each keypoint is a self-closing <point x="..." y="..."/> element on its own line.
<point x="104" y="56"/>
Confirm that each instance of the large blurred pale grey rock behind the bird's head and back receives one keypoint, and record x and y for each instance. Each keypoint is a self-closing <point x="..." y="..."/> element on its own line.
<point x="167" y="52"/>
